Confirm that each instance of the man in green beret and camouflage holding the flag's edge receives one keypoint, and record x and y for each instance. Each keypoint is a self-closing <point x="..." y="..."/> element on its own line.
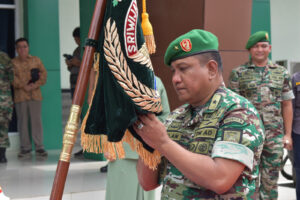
<point x="211" y="145"/>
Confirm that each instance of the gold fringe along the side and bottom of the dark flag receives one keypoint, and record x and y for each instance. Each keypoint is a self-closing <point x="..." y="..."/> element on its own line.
<point x="100" y="144"/>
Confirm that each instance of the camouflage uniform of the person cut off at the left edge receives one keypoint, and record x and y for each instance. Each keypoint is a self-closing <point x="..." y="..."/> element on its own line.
<point x="6" y="103"/>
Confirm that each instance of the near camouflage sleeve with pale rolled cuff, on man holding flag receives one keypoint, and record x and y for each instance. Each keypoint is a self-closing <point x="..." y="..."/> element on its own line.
<point x="240" y="138"/>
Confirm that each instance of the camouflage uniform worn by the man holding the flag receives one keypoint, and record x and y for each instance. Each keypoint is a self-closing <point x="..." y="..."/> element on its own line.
<point x="227" y="126"/>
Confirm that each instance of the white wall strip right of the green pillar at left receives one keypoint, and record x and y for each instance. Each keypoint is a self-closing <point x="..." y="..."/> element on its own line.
<point x="68" y="20"/>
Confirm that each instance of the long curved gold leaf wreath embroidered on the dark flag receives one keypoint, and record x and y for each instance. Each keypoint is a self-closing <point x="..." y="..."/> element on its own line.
<point x="146" y="98"/>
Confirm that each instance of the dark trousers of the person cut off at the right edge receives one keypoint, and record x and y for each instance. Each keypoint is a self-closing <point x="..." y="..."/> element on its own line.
<point x="296" y="150"/>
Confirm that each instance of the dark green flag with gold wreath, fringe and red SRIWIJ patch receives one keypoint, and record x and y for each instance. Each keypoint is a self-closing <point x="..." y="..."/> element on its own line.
<point x="125" y="86"/>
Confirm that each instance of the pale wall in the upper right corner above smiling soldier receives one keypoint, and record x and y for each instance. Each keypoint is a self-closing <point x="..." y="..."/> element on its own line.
<point x="285" y="28"/>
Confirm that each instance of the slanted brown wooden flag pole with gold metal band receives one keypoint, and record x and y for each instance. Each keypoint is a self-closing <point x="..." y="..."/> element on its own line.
<point x="77" y="102"/>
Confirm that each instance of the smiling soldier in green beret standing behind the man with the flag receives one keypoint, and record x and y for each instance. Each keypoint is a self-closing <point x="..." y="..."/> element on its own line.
<point x="268" y="87"/>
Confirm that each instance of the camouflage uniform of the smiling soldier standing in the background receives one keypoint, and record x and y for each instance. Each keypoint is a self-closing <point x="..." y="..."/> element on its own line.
<point x="266" y="87"/>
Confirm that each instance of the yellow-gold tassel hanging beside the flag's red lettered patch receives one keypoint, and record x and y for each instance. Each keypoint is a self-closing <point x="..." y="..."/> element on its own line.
<point x="148" y="30"/>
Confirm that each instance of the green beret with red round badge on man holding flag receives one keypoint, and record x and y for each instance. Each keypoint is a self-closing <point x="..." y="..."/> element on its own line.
<point x="194" y="42"/>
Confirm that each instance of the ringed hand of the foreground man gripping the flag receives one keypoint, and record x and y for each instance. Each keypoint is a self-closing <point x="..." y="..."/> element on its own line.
<point x="152" y="130"/>
